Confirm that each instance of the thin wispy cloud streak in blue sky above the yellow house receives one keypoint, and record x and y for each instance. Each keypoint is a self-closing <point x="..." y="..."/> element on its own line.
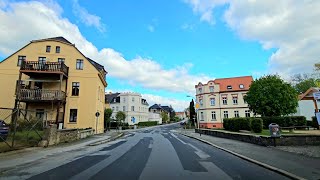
<point x="87" y="18"/>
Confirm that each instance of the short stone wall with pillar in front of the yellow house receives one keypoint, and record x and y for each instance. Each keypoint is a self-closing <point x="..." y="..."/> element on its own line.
<point x="55" y="136"/>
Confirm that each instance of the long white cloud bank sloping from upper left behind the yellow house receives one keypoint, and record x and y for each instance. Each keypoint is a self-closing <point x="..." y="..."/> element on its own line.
<point x="43" y="22"/>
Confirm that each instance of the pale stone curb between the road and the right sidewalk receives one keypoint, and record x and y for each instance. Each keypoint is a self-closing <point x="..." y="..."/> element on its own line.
<point x="272" y="168"/>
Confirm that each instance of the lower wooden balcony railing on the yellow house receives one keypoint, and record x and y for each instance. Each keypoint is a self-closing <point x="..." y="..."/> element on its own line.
<point x="41" y="95"/>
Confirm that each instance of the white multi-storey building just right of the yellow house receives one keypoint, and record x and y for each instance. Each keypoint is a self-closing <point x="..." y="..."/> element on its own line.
<point x="132" y="104"/>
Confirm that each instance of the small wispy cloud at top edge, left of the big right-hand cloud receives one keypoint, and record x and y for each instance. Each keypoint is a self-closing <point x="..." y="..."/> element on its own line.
<point x="205" y="8"/>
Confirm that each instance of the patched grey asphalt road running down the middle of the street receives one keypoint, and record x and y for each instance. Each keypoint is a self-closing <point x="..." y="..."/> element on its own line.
<point x="156" y="153"/>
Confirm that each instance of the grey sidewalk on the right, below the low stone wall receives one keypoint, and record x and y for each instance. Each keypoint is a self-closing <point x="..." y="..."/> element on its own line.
<point x="303" y="166"/>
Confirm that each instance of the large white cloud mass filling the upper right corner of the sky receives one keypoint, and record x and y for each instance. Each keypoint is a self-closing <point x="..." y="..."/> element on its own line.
<point x="290" y="27"/>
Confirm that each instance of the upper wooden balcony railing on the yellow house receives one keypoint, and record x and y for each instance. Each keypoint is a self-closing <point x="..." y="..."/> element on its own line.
<point x="45" y="67"/>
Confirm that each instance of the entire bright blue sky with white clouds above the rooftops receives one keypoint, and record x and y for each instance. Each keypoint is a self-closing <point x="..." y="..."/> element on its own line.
<point x="163" y="48"/>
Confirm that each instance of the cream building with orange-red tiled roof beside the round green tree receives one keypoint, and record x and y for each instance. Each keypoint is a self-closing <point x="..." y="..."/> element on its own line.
<point x="222" y="98"/>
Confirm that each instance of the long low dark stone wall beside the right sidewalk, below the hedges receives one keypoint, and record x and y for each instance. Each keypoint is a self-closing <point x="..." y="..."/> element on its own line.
<point x="284" y="140"/>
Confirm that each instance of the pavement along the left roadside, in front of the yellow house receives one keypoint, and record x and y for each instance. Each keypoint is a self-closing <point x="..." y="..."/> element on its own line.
<point x="16" y="158"/>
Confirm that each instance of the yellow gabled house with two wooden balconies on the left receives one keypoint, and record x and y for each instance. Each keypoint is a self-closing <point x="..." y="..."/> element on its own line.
<point x="57" y="83"/>
